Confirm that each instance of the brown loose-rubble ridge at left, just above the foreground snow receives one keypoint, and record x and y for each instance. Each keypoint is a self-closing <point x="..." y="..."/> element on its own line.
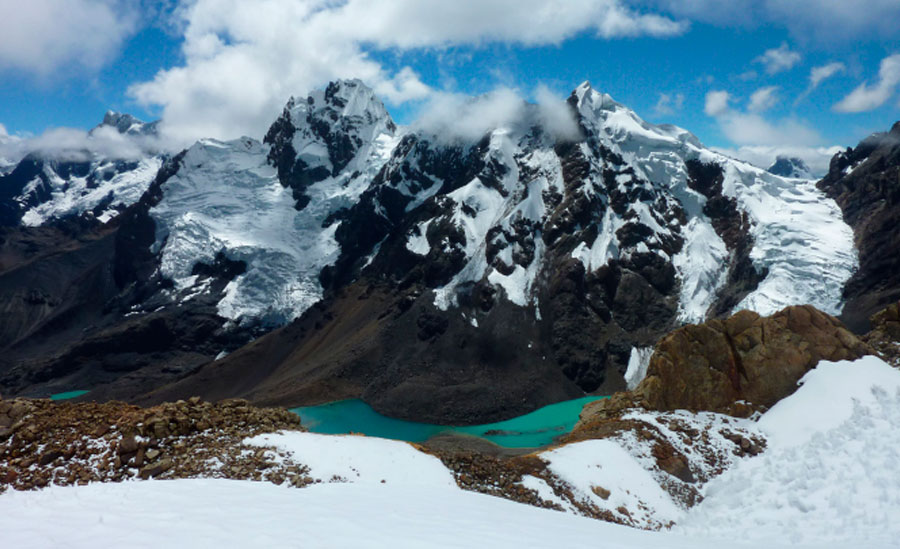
<point x="44" y="442"/>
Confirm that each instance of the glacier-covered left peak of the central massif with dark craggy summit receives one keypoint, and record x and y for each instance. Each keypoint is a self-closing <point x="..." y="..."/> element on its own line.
<point x="230" y="198"/>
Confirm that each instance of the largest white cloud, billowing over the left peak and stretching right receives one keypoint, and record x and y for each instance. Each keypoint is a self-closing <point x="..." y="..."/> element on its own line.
<point x="246" y="58"/>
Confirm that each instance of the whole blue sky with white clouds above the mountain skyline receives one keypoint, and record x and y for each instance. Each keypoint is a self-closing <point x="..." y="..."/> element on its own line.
<point x="223" y="68"/>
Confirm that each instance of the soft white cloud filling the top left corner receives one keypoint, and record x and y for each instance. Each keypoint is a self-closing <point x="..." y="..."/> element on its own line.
<point x="45" y="36"/>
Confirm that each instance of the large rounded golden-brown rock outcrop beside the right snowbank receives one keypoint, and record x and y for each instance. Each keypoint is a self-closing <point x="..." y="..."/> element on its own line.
<point x="740" y="364"/>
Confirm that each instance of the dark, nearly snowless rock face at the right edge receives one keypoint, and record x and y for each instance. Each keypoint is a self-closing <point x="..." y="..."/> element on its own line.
<point x="865" y="182"/>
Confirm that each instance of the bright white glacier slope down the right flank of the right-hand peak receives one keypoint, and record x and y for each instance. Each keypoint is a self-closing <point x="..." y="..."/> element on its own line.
<point x="798" y="236"/>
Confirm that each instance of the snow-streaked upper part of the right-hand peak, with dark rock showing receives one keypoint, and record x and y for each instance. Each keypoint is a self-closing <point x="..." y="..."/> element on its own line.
<point x="626" y="189"/>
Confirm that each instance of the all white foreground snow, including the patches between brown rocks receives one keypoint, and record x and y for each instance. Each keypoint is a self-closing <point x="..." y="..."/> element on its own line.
<point x="827" y="479"/>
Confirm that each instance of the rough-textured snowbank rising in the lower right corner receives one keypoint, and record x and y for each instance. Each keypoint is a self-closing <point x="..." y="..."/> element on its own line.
<point x="830" y="471"/>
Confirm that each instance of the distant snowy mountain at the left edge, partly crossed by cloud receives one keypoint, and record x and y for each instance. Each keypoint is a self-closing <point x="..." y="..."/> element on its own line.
<point x="46" y="186"/>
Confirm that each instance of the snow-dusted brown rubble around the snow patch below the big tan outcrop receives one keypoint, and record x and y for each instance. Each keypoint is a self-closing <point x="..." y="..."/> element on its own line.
<point x="682" y="451"/>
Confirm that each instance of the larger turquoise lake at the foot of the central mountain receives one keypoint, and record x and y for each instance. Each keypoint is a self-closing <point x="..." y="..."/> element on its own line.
<point x="535" y="429"/>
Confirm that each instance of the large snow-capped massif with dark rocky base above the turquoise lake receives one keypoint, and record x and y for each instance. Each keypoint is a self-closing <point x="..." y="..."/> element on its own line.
<point x="557" y="253"/>
